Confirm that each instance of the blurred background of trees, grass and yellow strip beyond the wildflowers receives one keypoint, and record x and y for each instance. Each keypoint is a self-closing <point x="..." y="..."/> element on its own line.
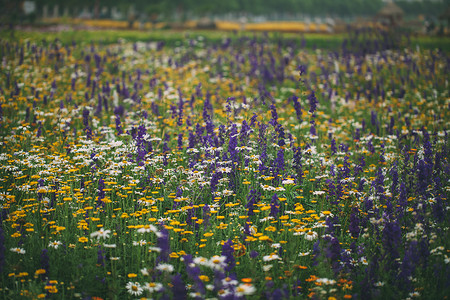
<point x="430" y="17"/>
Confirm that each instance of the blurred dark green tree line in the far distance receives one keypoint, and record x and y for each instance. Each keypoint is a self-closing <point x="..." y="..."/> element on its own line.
<point x="167" y="8"/>
